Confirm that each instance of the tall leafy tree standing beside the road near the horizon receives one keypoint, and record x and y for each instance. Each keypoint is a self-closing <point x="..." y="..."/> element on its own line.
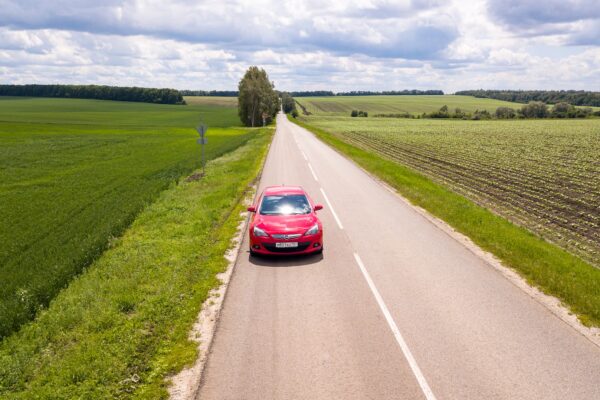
<point x="257" y="97"/>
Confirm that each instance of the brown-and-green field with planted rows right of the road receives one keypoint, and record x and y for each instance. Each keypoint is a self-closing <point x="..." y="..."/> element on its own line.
<point x="542" y="174"/>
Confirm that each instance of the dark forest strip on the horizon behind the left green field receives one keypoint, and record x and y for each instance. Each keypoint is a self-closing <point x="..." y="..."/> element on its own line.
<point x="144" y="95"/>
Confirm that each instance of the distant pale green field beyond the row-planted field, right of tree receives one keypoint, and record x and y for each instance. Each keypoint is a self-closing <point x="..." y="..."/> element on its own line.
<point x="397" y="104"/>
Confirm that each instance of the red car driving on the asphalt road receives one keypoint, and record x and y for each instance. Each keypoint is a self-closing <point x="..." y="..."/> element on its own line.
<point x="285" y="222"/>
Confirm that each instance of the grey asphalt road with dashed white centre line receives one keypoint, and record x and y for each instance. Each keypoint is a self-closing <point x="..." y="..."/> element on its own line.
<point x="394" y="309"/>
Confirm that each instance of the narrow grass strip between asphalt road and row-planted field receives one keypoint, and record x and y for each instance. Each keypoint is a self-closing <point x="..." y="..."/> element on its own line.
<point x="544" y="265"/>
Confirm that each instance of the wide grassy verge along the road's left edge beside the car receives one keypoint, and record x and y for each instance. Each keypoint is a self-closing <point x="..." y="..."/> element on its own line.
<point x="121" y="327"/>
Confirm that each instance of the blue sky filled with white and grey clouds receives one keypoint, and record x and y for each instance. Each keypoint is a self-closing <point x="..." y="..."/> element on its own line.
<point x="304" y="45"/>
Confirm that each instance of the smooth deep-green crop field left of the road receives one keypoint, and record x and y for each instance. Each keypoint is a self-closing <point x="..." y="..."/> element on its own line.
<point x="75" y="173"/>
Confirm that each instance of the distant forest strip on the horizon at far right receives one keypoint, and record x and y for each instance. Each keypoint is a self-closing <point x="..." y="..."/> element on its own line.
<point x="574" y="97"/>
